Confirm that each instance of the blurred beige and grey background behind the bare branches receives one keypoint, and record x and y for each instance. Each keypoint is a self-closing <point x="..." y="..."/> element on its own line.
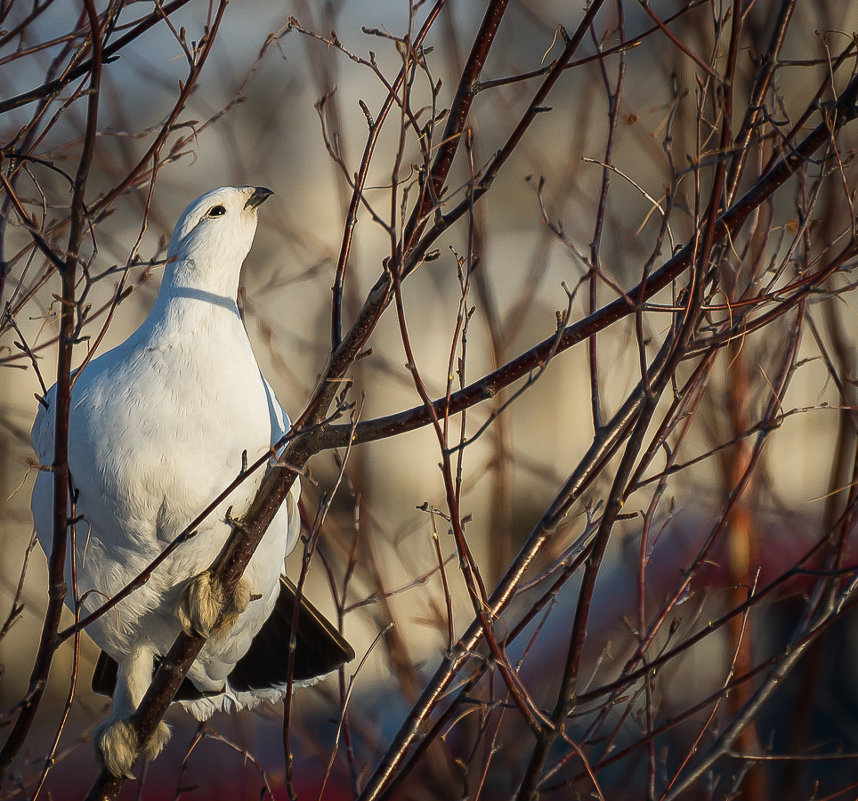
<point x="255" y="117"/>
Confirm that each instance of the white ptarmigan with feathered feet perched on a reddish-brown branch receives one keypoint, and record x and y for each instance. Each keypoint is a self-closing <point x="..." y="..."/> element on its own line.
<point x="159" y="426"/>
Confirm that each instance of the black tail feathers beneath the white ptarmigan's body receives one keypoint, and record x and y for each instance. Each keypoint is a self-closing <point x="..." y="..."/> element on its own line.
<point x="319" y="649"/>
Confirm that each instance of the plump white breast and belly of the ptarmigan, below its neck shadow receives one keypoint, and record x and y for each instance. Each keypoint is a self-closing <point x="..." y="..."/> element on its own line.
<point x="158" y="428"/>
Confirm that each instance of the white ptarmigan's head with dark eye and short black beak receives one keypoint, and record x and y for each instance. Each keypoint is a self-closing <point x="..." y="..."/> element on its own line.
<point x="213" y="236"/>
